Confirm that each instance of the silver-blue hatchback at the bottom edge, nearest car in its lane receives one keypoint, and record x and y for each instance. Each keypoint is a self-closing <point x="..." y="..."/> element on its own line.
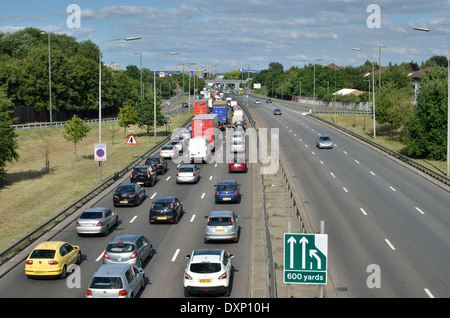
<point x="116" y="281"/>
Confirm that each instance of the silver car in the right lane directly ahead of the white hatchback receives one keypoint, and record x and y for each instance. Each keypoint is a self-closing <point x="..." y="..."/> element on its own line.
<point x="222" y="225"/>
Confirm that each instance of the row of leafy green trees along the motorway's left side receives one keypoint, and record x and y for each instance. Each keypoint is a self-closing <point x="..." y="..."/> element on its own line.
<point x="24" y="81"/>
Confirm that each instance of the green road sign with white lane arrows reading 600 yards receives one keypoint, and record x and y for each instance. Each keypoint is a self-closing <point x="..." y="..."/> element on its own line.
<point x="305" y="258"/>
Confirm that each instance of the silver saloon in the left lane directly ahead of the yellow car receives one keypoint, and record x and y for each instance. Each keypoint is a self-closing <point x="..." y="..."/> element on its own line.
<point x="96" y="221"/>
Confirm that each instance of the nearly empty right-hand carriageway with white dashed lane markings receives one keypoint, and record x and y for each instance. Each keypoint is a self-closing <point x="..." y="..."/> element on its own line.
<point x="388" y="227"/>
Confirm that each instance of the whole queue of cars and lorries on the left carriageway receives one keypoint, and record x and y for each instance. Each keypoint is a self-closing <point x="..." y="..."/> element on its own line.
<point x="208" y="271"/>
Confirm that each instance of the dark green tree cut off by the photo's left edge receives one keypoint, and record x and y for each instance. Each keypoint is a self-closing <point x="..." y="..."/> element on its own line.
<point x="8" y="143"/>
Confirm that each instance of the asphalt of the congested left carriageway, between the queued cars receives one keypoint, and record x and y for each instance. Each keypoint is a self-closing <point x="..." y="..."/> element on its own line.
<point x="171" y="242"/>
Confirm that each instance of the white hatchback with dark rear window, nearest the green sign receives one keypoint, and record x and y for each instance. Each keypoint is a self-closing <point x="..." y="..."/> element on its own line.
<point x="208" y="272"/>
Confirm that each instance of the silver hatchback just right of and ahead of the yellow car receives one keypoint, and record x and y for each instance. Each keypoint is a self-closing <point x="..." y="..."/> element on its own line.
<point x="128" y="249"/>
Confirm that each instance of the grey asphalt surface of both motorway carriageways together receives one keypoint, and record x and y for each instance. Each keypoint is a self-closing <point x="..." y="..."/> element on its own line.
<point x="388" y="227"/>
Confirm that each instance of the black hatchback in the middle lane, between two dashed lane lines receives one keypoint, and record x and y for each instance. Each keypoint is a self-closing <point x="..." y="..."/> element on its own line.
<point x="166" y="210"/>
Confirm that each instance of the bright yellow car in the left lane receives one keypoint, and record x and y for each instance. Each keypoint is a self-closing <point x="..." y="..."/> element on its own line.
<point x="52" y="258"/>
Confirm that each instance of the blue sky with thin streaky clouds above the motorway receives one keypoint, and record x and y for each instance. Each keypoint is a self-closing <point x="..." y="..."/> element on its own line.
<point x="252" y="33"/>
